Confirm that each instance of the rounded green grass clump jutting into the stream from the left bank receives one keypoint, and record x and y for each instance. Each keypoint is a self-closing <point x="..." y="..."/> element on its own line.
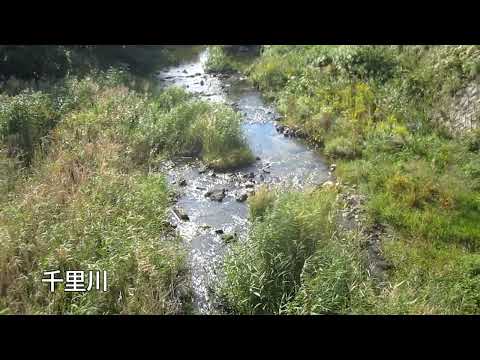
<point x="195" y="128"/>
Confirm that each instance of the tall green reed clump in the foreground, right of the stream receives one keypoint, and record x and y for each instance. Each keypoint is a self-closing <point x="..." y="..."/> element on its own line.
<point x="296" y="259"/>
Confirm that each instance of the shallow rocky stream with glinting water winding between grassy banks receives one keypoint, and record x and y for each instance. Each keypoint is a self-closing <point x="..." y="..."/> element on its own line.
<point x="282" y="160"/>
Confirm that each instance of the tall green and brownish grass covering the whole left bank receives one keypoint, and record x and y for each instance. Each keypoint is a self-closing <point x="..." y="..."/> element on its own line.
<point x="78" y="193"/>
